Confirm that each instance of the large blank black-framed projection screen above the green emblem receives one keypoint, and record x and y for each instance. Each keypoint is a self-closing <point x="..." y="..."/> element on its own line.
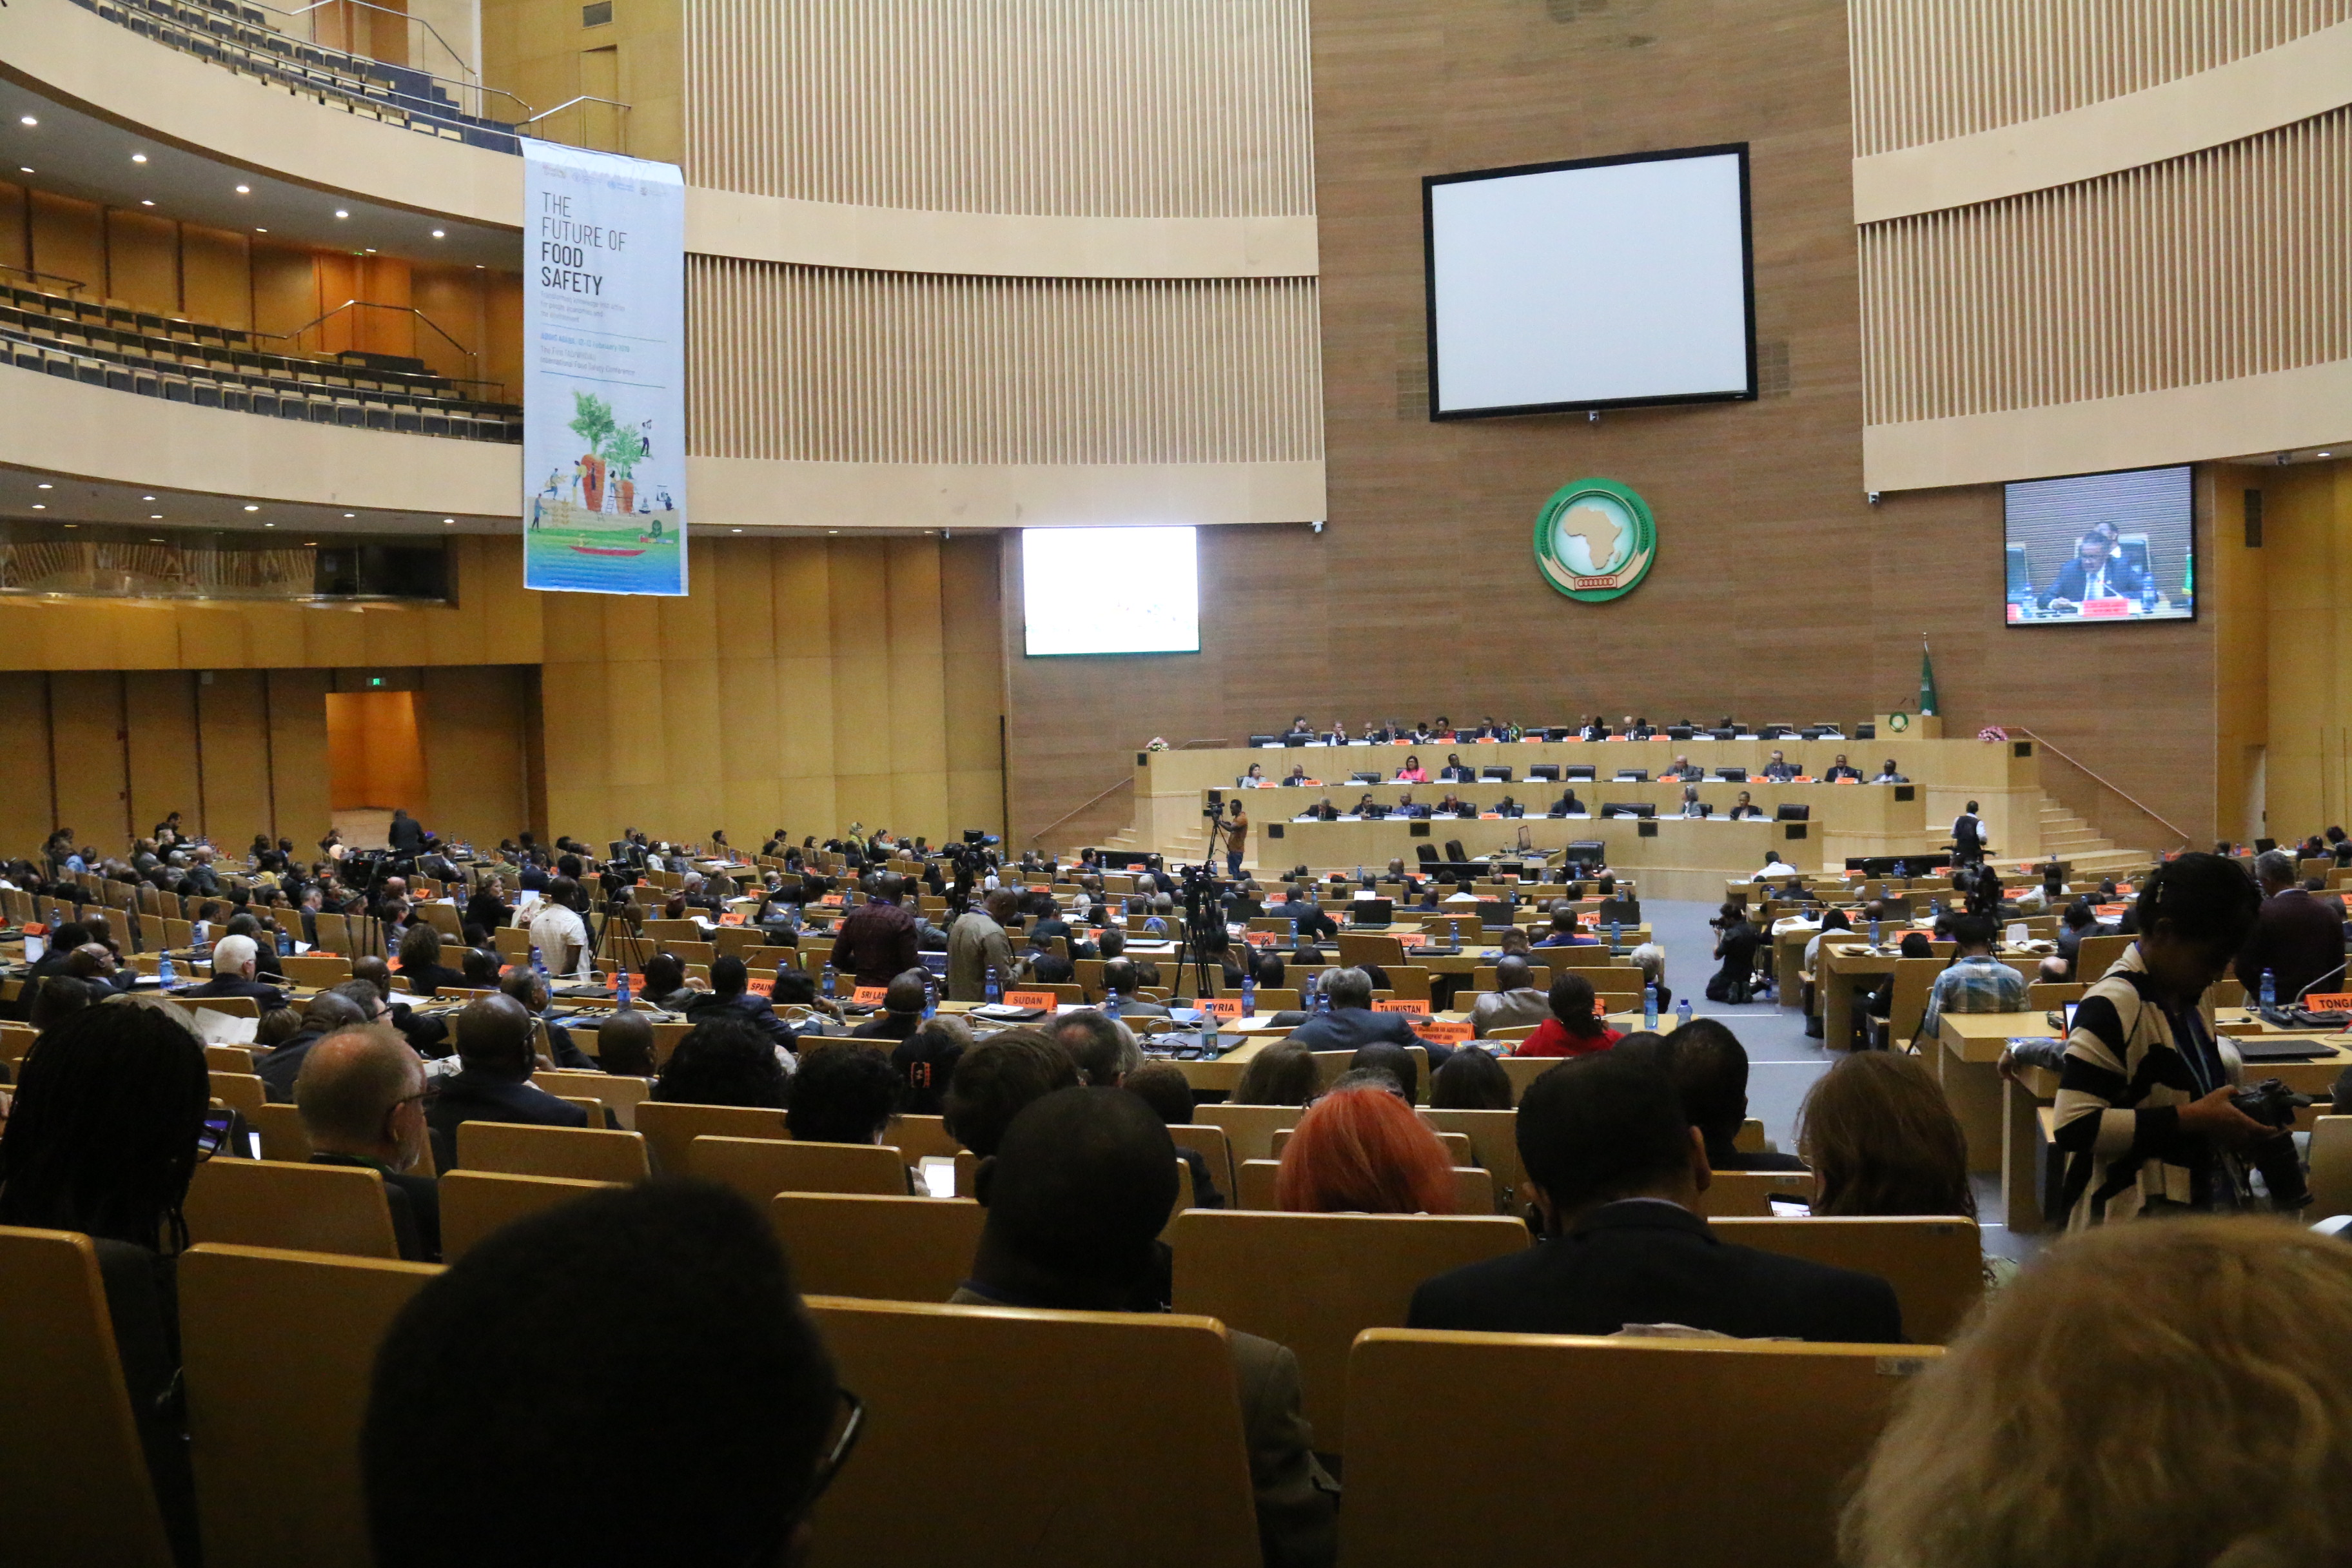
<point x="1591" y="283"/>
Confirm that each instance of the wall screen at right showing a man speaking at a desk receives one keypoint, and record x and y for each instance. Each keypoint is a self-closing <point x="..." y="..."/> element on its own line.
<point x="2106" y="547"/>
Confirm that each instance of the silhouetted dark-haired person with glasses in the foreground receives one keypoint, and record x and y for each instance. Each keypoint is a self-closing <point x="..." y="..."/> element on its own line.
<point x="721" y="1407"/>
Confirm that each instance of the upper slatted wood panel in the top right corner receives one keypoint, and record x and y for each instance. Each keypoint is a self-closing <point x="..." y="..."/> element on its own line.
<point x="1935" y="69"/>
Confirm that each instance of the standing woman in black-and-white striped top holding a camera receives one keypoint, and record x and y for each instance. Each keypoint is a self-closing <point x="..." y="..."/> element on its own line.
<point x="2149" y="1111"/>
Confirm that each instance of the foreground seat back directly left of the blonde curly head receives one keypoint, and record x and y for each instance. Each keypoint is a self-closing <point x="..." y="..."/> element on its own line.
<point x="1716" y="1452"/>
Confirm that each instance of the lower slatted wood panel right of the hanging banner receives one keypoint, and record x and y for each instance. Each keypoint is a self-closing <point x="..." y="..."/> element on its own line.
<point x="902" y="368"/>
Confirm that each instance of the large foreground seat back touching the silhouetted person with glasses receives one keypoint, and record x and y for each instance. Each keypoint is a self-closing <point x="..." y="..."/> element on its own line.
<point x="1001" y="1412"/>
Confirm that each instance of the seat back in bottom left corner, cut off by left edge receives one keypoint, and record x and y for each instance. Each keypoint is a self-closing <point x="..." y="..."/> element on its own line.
<point x="79" y="1487"/>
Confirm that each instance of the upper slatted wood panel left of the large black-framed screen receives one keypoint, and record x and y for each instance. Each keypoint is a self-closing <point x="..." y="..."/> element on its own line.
<point x="1036" y="107"/>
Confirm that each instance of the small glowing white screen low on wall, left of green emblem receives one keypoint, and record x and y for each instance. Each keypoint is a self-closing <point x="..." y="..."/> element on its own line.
<point x="1111" y="591"/>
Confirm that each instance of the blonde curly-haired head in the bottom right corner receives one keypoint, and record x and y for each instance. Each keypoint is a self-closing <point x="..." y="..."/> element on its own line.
<point x="2120" y="1405"/>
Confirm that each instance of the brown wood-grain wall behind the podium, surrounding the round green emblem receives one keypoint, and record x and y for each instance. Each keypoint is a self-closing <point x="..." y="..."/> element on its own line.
<point x="1422" y="596"/>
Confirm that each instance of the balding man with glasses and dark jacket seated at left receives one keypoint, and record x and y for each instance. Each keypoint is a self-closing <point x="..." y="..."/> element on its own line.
<point x="361" y="1097"/>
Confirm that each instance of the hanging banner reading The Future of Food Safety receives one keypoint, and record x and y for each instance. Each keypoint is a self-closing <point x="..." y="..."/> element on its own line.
<point x="603" y="373"/>
